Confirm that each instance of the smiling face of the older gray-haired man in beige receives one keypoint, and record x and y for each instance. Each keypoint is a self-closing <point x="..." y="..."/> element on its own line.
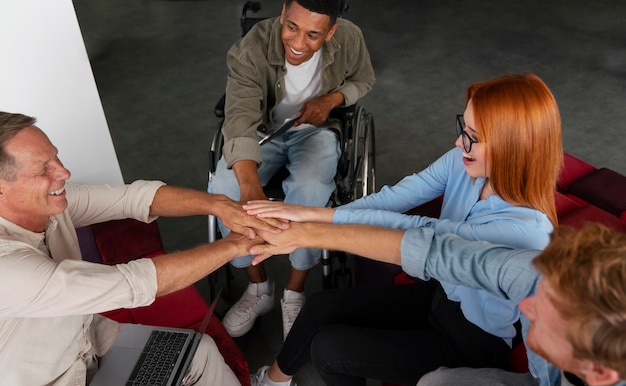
<point x="38" y="190"/>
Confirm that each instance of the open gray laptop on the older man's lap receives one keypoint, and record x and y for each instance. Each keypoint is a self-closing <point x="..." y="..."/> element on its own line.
<point x="151" y="355"/>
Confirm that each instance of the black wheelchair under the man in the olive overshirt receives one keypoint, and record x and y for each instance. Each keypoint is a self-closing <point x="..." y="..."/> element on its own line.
<point x="355" y="176"/>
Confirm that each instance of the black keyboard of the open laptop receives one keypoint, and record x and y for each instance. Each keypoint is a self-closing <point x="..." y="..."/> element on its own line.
<point x="156" y="363"/>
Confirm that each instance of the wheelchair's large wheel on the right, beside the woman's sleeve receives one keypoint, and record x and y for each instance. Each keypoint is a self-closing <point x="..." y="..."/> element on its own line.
<point x="362" y="162"/>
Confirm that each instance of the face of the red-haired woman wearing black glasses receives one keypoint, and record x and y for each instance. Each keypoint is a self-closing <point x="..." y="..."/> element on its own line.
<point x="476" y="163"/>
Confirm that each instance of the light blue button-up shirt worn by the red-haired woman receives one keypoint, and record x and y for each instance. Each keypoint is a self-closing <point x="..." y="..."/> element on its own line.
<point x="464" y="214"/>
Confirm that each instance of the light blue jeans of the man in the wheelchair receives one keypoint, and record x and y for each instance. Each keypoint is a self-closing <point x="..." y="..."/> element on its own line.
<point x="311" y="156"/>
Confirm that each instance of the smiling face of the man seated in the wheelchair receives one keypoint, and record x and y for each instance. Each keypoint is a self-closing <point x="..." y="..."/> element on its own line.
<point x="303" y="32"/>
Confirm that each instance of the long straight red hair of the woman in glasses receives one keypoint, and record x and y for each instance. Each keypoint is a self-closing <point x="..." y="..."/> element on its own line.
<point x="520" y="128"/>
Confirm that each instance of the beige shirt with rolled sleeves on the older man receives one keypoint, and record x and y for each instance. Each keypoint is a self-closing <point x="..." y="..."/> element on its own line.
<point x="48" y="295"/>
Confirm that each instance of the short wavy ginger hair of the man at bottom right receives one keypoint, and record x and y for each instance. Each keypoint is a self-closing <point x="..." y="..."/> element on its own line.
<point x="587" y="269"/>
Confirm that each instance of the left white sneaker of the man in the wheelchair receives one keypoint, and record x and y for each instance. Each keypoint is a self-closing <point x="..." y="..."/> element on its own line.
<point x="241" y="316"/>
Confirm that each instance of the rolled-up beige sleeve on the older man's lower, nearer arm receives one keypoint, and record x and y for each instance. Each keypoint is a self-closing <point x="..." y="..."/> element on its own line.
<point x="39" y="287"/>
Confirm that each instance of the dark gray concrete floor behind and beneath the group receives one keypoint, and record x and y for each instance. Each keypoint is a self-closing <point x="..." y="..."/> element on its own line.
<point x="159" y="67"/>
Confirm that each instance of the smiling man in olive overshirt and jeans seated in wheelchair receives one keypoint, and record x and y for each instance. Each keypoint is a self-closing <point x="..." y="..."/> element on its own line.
<point x="293" y="69"/>
